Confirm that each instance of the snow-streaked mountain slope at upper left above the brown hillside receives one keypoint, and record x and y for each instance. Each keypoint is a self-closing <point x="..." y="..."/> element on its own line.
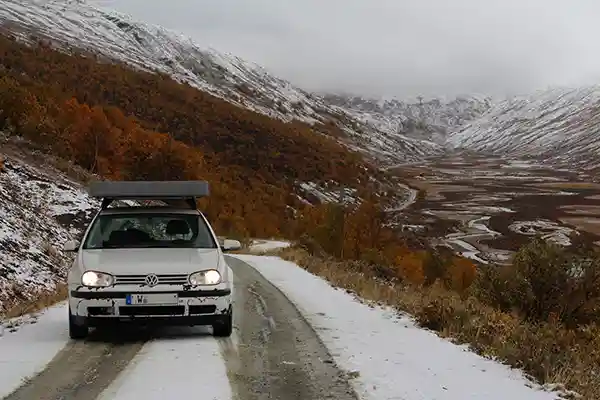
<point x="76" y="25"/>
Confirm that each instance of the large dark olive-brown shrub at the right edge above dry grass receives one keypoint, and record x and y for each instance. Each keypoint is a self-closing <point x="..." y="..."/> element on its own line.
<point x="546" y="282"/>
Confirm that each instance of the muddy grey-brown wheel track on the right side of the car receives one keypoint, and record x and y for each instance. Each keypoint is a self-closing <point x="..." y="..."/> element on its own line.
<point x="279" y="355"/>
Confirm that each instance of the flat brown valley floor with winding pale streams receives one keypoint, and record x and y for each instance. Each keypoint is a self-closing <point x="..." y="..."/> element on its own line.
<point x="487" y="207"/>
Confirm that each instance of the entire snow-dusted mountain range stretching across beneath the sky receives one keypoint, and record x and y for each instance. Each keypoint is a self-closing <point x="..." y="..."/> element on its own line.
<point x="557" y="126"/>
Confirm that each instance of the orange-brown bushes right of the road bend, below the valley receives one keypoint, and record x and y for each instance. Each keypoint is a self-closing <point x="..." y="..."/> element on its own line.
<point x="360" y="234"/>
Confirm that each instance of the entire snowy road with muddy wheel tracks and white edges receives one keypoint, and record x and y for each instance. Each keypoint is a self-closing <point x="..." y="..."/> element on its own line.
<point x="295" y="337"/>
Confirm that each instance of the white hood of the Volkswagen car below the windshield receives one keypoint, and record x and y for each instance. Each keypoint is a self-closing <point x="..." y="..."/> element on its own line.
<point x="143" y="261"/>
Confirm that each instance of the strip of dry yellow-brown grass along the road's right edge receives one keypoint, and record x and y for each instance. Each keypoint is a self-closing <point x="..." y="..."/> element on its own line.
<point x="548" y="352"/>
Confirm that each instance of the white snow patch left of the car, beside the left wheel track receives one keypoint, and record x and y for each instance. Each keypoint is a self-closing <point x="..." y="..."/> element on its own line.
<point x="27" y="344"/>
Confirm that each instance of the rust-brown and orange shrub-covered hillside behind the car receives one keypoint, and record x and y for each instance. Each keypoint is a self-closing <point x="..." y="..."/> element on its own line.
<point x="125" y="124"/>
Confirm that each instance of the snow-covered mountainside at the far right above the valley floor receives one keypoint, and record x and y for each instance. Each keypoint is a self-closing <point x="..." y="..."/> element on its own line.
<point x="558" y="126"/>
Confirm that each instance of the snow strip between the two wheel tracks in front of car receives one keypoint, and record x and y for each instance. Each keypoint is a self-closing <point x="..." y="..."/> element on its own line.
<point x="179" y="365"/>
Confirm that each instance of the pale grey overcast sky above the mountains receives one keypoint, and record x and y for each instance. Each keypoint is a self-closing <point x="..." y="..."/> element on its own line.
<point x="396" y="47"/>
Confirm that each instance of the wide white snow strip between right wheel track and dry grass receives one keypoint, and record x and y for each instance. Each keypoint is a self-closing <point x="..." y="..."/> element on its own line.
<point x="394" y="358"/>
